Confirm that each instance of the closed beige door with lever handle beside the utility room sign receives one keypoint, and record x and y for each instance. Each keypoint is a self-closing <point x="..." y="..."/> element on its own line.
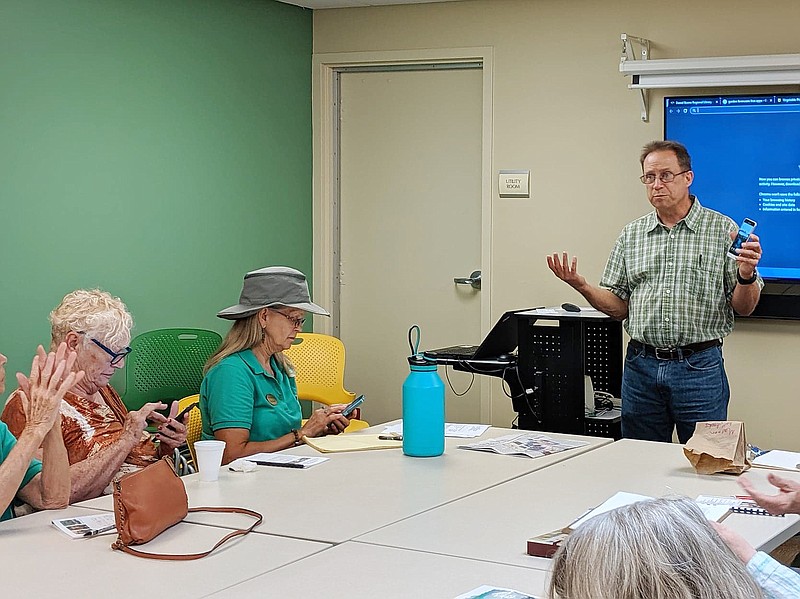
<point x="410" y="217"/>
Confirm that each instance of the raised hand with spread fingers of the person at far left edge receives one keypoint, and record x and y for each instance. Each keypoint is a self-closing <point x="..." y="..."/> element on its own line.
<point x="42" y="392"/>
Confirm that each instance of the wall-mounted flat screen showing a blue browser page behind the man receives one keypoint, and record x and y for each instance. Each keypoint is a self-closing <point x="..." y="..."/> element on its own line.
<point x="746" y="159"/>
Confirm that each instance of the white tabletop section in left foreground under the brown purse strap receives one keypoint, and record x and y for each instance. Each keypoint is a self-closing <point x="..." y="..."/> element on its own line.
<point x="41" y="561"/>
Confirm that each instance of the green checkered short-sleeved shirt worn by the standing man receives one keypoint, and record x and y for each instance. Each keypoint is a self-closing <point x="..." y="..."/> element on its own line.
<point x="679" y="281"/>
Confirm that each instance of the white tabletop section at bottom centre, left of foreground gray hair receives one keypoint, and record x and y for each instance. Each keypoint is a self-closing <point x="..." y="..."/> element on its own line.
<point x="362" y="570"/>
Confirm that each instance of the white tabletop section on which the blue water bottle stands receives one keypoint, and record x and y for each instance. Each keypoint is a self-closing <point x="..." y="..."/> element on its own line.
<point x="356" y="492"/>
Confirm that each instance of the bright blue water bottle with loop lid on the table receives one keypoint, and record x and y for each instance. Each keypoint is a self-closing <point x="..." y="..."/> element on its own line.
<point x="423" y="405"/>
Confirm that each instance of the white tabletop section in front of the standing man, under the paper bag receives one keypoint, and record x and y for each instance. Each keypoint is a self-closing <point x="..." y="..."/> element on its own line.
<point x="494" y="525"/>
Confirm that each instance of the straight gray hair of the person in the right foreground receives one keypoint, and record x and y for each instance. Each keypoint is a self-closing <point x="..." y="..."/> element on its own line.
<point x="655" y="549"/>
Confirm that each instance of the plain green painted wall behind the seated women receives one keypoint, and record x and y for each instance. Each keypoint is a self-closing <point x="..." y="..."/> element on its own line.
<point x="157" y="149"/>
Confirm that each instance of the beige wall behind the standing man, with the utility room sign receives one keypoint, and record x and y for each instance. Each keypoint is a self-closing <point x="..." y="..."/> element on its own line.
<point x="562" y="110"/>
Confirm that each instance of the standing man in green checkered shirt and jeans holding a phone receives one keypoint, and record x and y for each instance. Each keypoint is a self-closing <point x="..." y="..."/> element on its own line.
<point x="669" y="279"/>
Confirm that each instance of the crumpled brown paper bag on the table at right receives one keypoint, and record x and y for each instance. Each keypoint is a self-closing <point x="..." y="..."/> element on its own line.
<point x="718" y="446"/>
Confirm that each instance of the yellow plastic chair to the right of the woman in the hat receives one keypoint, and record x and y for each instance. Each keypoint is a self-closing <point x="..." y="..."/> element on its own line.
<point x="319" y="365"/>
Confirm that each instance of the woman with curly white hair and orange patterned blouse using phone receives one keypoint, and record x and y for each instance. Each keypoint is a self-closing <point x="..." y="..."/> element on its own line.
<point x="102" y="438"/>
